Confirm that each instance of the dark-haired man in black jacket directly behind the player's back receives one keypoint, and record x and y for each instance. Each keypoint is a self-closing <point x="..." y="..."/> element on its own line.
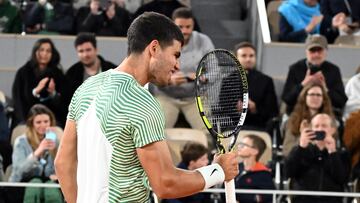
<point x="90" y="63"/>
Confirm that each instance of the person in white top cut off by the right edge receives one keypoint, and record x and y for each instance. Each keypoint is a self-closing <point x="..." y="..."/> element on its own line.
<point x="352" y="90"/>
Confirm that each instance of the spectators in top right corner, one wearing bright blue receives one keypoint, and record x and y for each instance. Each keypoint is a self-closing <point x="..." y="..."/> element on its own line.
<point x="331" y="18"/>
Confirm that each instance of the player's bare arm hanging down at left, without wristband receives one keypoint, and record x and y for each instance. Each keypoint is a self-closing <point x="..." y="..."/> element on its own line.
<point x="66" y="162"/>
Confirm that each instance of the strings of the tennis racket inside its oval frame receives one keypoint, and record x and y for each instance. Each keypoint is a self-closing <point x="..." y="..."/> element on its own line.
<point x="222" y="97"/>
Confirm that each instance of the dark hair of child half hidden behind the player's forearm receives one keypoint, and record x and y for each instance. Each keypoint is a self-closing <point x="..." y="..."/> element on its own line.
<point x="192" y="151"/>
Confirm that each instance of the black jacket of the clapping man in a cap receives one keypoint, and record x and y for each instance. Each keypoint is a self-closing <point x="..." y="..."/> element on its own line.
<point x="333" y="79"/>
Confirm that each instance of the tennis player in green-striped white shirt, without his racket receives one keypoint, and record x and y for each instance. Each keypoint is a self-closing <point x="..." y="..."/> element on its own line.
<point x="114" y="148"/>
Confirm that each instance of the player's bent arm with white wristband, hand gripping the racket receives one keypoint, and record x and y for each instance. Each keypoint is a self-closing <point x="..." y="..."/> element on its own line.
<point x="167" y="181"/>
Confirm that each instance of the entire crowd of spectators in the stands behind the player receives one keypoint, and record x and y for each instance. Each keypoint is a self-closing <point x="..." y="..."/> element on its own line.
<point x="314" y="95"/>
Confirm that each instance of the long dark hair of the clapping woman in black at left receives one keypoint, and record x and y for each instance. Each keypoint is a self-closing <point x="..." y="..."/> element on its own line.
<point x="55" y="56"/>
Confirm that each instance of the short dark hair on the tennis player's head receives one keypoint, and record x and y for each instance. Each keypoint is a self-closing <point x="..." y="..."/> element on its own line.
<point x="152" y="26"/>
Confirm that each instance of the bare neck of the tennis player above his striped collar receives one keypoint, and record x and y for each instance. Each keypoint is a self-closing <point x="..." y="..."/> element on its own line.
<point x="135" y="66"/>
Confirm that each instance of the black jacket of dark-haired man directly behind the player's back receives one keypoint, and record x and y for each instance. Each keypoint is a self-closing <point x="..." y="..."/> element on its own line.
<point x="75" y="77"/>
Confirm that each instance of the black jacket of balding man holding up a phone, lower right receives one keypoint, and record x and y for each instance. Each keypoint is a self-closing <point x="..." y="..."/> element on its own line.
<point x="314" y="170"/>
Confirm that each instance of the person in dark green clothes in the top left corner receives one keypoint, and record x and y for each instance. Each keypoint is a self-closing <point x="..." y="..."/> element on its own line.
<point x="10" y="21"/>
